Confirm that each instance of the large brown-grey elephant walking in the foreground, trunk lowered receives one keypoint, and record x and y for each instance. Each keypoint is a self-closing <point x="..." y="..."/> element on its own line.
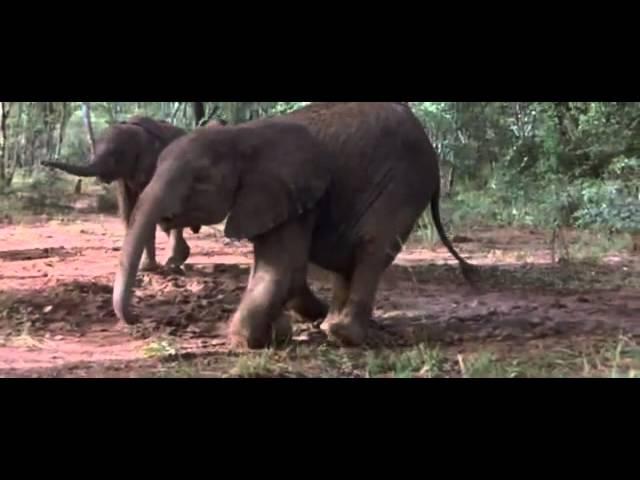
<point x="340" y="185"/>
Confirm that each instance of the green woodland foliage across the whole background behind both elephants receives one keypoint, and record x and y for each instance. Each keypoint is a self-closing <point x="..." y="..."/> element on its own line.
<point x="537" y="164"/>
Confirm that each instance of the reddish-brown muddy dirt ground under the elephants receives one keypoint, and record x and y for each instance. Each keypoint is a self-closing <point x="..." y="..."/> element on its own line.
<point x="56" y="317"/>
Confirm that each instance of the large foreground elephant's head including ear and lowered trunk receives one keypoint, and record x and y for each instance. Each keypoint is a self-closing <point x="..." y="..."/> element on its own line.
<point x="257" y="176"/>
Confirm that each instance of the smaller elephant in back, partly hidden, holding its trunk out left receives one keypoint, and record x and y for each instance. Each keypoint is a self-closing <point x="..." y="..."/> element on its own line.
<point x="127" y="152"/>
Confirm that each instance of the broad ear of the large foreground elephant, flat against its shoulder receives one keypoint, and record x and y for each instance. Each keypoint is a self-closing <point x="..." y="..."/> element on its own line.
<point x="284" y="173"/>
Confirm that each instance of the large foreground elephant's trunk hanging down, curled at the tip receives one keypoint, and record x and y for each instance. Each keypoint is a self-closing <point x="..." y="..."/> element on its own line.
<point x="145" y="217"/>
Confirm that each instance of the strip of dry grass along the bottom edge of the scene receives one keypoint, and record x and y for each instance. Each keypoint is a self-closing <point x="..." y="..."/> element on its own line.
<point x="619" y="359"/>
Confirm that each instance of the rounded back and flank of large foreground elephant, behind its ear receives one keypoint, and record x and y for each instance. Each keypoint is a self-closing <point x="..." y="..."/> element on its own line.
<point x="383" y="161"/>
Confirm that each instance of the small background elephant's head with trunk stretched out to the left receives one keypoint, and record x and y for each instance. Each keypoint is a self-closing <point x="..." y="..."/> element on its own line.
<point x="122" y="147"/>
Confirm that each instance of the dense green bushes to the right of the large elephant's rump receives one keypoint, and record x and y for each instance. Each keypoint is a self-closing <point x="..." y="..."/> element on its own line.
<point x="538" y="164"/>
